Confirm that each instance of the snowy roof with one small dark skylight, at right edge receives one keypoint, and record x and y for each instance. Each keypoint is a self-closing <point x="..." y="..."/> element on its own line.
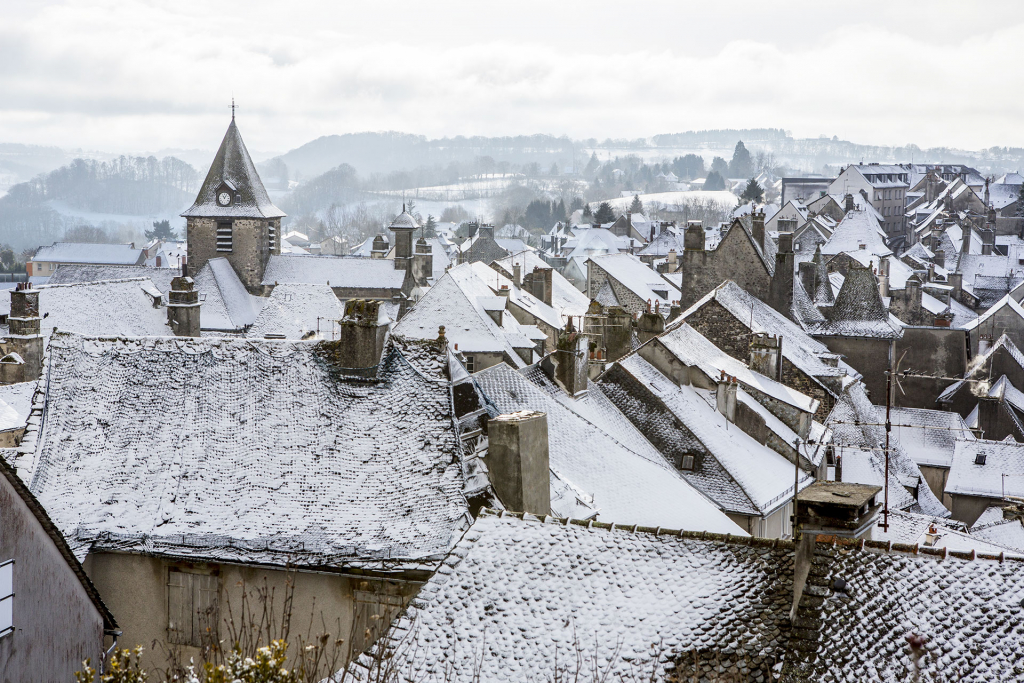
<point x="1002" y="475"/>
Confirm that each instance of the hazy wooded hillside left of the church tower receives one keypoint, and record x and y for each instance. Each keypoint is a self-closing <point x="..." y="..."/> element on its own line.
<point x="127" y="186"/>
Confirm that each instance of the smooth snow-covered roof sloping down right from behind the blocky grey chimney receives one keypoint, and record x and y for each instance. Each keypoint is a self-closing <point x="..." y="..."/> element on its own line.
<point x="595" y="448"/>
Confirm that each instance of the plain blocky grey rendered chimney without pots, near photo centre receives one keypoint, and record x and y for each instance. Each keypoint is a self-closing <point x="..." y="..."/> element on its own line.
<point x="519" y="463"/>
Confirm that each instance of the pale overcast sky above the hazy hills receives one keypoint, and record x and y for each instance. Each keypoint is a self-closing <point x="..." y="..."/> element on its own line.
<point x="133" y="76"/>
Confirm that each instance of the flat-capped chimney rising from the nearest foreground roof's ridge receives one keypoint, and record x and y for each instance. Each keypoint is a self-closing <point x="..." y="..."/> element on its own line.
<point x="829" y="509"/>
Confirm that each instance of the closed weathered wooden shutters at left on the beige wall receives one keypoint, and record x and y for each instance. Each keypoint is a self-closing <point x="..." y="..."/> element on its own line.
<point x="192" y="608"/>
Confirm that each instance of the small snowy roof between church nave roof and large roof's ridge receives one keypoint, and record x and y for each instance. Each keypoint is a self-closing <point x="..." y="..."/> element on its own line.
<point x="298" y="312"/>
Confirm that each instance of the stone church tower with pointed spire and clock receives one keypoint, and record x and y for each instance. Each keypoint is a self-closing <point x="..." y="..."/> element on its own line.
<point x="233" y="217"/>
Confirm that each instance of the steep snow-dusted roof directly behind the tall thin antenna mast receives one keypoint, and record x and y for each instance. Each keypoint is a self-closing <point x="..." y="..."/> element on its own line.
<point x="860" y="441"/>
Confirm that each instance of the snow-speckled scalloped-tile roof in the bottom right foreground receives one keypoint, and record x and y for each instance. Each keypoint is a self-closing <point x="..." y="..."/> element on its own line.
<point x="527" y="601"/>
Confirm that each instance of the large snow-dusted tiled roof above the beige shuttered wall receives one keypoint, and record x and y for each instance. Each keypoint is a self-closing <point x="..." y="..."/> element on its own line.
<point x="262" y="453"/>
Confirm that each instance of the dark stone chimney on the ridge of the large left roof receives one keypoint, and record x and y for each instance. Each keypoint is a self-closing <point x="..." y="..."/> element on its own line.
<point x="361" y="339"/>
